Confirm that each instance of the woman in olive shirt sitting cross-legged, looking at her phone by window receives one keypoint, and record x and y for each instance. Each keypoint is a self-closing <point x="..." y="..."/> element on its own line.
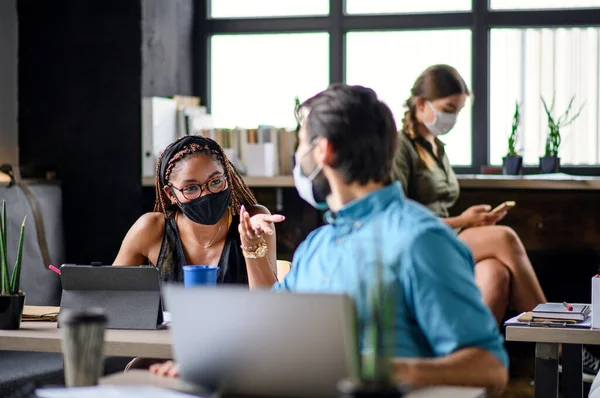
<point x="503" y="271"/>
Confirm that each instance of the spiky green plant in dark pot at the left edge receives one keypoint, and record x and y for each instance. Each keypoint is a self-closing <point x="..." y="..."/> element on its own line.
<point x="12" y="298"/>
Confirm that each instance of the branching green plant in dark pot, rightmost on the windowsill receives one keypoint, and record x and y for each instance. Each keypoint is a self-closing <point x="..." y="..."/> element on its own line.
<point x="550" y="162"/>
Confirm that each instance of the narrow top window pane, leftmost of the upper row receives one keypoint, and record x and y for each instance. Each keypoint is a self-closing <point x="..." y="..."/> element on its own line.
<point x="266" y="8"/>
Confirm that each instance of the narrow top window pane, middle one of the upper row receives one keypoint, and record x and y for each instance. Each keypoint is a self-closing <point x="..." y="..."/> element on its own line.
<point x="405" y="7"/>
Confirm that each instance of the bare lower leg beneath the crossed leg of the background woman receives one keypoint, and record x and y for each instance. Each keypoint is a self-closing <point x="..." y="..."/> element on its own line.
<point x="493" y="280"/>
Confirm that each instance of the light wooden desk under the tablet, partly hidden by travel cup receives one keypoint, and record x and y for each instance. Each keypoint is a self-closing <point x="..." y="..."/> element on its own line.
<point x="46" y="337"/>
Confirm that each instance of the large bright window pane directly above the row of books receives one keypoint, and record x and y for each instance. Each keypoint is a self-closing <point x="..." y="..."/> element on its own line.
<point x="254" y="78"/>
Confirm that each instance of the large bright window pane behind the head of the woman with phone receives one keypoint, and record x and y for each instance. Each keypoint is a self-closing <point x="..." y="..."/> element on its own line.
<point x="390" y="62"/>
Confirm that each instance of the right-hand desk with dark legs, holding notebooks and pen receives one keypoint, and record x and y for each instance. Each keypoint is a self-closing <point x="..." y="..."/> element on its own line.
<point x="546" y="357"/>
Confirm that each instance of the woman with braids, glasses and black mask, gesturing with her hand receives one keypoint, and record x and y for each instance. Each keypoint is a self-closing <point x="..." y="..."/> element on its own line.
<point x="204" y="214"/>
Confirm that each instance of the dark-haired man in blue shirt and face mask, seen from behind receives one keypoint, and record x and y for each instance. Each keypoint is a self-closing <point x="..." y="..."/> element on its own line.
<point x="444" y="334"/>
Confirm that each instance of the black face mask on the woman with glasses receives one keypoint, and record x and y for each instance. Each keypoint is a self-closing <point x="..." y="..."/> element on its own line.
<point x="207" y="209"/>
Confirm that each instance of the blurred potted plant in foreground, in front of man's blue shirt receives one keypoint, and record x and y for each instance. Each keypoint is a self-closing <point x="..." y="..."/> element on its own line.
<point x="375" y="378"/>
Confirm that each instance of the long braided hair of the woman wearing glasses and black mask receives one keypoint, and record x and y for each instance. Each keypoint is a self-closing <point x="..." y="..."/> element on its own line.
<point x="193" y="145"/>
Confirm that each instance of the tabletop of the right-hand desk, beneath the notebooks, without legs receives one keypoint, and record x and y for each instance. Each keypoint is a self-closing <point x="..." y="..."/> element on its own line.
<point x="553" y="335"/>
